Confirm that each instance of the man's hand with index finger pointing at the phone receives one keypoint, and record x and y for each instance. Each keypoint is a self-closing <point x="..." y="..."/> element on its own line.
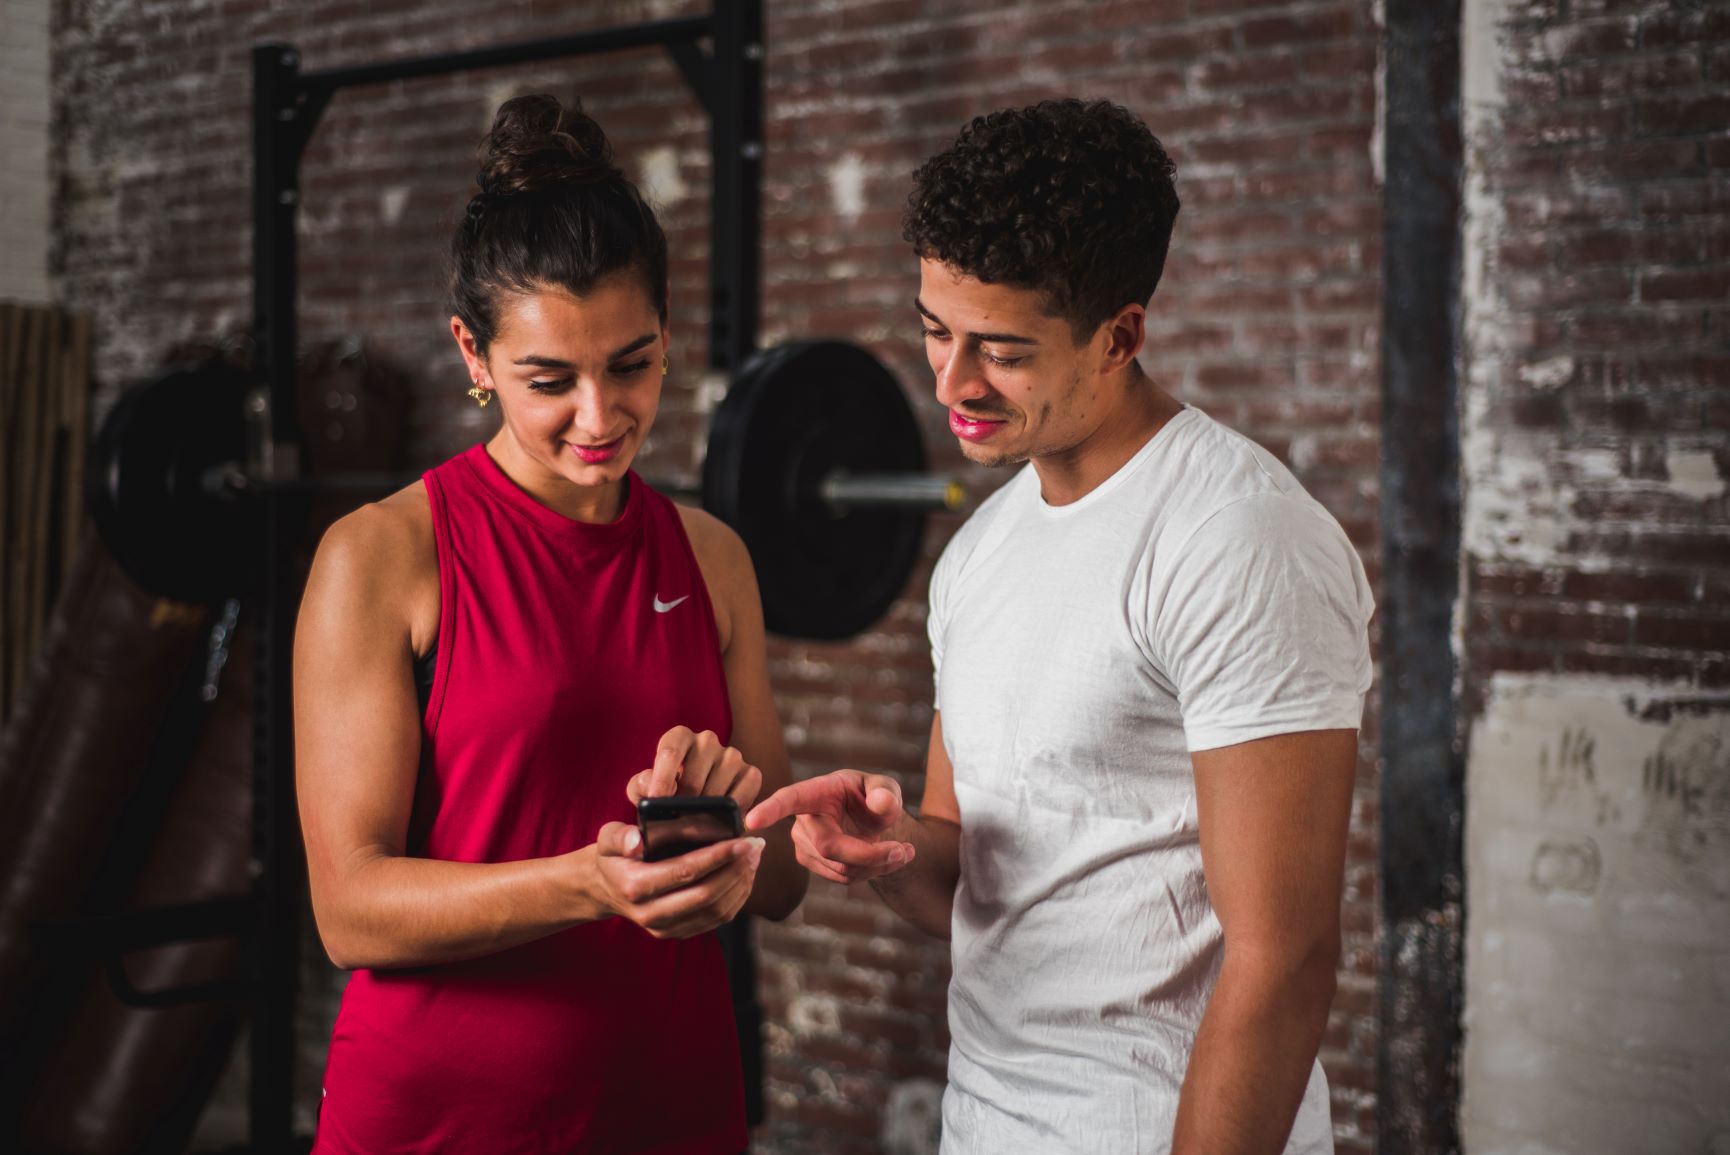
<point x="845" y="824"/>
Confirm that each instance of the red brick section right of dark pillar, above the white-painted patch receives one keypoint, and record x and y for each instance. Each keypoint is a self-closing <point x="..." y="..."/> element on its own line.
<point x="1599" y="343"/>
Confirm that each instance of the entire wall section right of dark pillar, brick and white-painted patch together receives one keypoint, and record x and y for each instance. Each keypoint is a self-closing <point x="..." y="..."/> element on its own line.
<point x="1598" y="561"/>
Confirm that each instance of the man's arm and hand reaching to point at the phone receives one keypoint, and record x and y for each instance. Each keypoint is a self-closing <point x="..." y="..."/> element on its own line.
<point x="852" y="827"/>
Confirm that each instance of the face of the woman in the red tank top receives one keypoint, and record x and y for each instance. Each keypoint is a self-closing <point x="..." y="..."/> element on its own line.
<point x="579" y="380"/>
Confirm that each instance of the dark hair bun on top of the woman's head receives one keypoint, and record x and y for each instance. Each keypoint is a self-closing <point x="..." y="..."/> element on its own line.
<point x="537" y="144"/>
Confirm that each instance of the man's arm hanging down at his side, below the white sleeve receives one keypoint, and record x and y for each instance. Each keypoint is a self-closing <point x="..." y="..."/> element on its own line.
<point x="1274" y="819"/>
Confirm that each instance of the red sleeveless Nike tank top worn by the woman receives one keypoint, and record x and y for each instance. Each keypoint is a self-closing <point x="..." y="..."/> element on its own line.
<point x="565" y="653"/>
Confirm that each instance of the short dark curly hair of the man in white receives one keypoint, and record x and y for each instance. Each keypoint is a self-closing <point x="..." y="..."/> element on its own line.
<point x="1070" y="198"/>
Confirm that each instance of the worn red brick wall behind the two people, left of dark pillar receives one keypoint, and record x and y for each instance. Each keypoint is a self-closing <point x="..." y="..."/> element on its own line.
<point x="1267" y="319"/>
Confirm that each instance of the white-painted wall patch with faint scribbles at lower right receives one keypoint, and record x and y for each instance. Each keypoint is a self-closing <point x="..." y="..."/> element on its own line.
<point x="1596" y="997"/>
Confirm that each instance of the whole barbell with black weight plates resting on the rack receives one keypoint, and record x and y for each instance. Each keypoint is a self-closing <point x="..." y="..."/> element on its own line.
<point x="814" y="457"/>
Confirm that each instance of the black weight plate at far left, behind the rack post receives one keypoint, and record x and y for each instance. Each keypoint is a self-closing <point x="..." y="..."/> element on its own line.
<point x="146" y="490"/>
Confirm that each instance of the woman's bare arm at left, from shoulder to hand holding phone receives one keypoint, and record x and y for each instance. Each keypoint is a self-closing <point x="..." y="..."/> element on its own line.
<point x="357" y="755"/>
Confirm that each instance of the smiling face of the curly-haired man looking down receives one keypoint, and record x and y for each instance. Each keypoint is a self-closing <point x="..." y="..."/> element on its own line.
<point x="1013" y="378"/>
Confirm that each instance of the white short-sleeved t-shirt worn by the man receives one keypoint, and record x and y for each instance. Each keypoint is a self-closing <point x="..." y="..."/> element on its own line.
<point x="1196" y="599"/>
